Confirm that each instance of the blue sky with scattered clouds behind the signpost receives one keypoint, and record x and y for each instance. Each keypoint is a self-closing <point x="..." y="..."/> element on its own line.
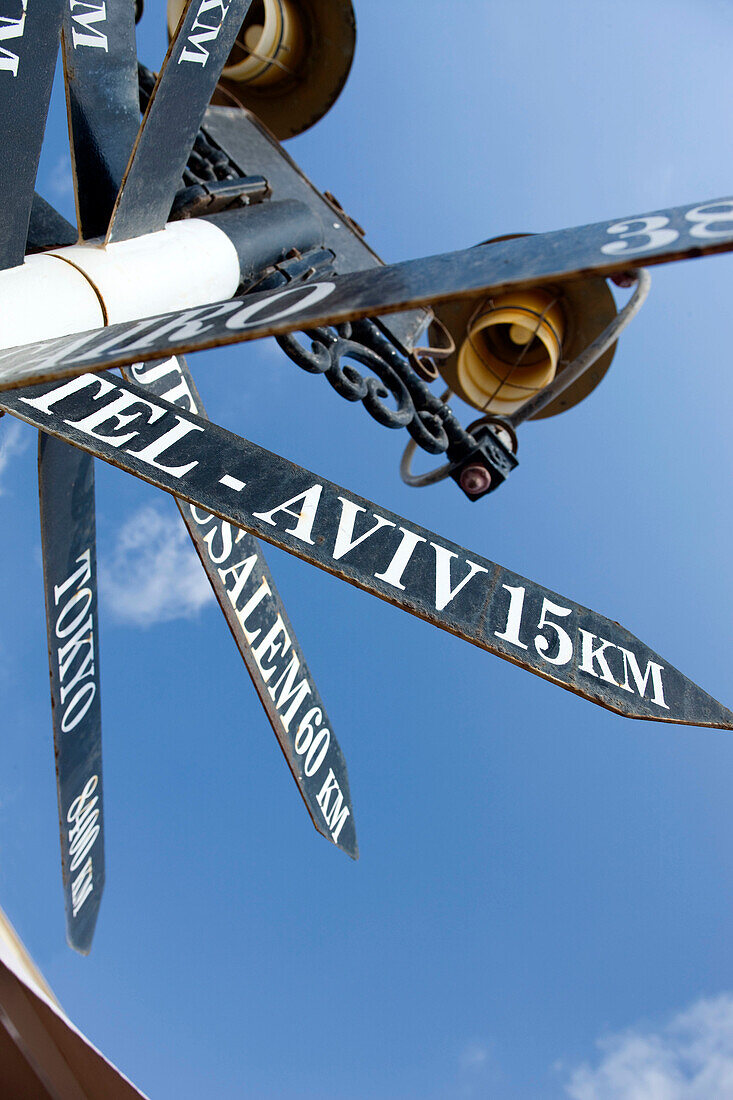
<point x="543" y="903"/>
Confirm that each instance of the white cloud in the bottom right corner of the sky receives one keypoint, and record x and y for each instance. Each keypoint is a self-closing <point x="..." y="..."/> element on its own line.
<point x="688" y="1059"/>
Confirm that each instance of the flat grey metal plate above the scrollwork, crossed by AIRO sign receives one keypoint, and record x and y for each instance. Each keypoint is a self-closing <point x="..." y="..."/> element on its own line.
<point x="253" y="147"/>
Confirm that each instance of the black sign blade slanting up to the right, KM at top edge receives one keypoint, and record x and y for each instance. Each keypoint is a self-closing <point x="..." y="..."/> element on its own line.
<point x="184" y="87"/>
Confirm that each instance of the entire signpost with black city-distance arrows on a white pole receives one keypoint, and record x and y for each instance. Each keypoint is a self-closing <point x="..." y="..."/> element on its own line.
<point x="231" y="492"/>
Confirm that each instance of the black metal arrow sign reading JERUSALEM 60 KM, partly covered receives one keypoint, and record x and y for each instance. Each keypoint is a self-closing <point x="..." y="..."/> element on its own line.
<point x="240" y="578"/>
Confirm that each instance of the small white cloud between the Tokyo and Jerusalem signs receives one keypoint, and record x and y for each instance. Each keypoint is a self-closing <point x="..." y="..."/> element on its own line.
<point x="155" y="575"/>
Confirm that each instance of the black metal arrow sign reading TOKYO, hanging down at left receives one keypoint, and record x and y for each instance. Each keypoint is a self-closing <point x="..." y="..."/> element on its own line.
<point x="70" y="567"/>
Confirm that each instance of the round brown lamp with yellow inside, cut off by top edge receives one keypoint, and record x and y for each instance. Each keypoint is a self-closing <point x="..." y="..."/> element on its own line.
<point x="290" y="61"/>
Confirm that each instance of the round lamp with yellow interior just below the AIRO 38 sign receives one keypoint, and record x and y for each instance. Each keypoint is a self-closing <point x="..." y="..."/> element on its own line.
<point x="511" y="346"/>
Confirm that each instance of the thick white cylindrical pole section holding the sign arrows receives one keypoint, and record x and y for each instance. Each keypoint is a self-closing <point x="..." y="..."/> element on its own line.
<point x="85" y="287"/>
